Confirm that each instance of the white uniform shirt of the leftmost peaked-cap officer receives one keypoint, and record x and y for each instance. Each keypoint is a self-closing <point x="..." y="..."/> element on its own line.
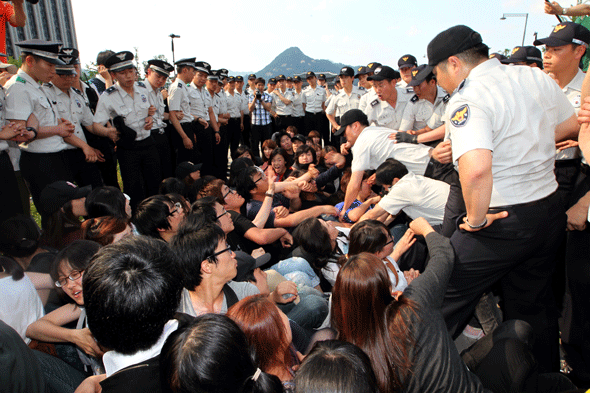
<point x="25" y="97"/>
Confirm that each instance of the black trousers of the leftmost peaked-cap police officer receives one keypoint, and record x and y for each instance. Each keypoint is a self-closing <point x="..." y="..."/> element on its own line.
<point x="42" y="169"/>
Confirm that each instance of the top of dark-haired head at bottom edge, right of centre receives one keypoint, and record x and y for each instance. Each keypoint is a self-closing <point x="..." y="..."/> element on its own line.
<point x="337" y="367"/>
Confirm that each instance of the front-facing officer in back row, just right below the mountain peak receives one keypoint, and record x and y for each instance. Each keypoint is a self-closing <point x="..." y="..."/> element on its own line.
<point x="314" y="98"/>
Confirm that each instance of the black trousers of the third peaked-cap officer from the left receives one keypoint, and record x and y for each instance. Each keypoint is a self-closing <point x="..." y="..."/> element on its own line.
<point x="140" y="170"/>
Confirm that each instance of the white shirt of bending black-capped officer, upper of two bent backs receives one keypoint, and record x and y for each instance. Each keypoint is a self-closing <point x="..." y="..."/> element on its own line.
<point x="373" y="147"/>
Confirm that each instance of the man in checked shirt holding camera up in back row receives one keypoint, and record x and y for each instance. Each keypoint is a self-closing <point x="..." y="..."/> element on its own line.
<point x="259" y="105"/>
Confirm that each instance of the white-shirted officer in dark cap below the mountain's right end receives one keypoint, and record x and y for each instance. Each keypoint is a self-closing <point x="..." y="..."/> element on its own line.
<point x="347" y="98"/>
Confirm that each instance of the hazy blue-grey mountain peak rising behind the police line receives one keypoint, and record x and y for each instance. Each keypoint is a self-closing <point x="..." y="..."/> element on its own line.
<point x="293" y="61"/>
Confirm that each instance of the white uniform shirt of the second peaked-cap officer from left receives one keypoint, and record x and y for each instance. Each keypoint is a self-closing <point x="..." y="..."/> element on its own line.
<point x="73" y="107"/>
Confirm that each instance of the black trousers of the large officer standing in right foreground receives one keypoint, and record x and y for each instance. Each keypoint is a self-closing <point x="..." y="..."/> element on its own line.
<point x="519" y="253"/>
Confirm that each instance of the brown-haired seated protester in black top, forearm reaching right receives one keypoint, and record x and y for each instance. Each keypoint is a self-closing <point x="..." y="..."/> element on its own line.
<point x="246" y="235"/>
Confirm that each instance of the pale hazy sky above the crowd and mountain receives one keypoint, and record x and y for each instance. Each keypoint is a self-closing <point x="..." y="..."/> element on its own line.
<point x="247" y="35"/>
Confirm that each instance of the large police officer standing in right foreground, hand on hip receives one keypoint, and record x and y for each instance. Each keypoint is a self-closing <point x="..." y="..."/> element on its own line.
<point x="503" y="124"/>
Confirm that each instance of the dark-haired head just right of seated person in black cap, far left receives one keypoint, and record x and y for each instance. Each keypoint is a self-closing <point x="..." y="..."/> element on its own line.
<point x="107" y="201"/>
